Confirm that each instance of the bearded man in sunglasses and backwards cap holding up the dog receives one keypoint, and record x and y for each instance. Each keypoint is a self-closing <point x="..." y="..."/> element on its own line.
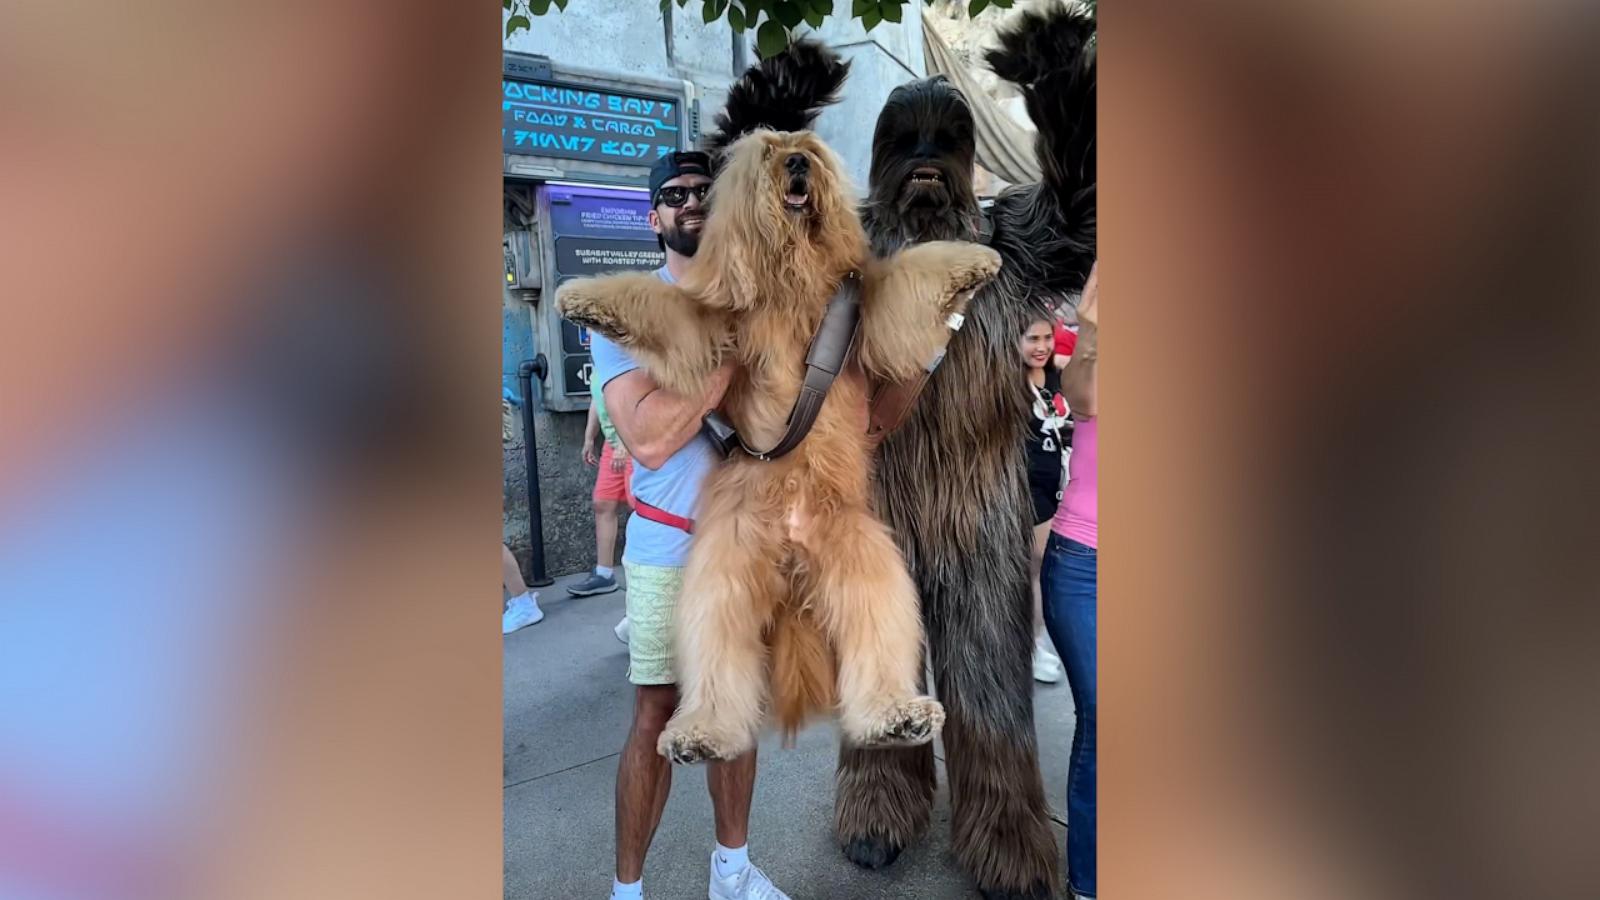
<point x="663" y="433"/>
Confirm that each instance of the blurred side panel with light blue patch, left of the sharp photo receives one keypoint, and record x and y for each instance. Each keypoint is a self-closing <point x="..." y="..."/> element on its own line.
<point x="250" y="492"/>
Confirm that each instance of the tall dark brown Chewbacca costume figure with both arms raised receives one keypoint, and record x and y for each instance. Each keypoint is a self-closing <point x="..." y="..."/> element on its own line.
<point x="951" y="481"/>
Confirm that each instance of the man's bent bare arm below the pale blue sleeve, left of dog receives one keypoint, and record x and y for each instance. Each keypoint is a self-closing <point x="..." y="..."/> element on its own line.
<point x="655" y="424"/>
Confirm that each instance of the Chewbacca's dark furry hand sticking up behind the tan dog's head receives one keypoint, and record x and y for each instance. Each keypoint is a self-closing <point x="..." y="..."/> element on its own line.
<point x="783" y="94"/>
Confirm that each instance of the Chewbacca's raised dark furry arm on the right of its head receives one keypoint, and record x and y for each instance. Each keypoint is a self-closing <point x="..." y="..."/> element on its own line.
<point x="1047" y="231"/>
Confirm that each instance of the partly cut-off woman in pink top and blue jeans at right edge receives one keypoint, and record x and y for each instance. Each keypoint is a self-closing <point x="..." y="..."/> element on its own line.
<point x="1070" y="585"/>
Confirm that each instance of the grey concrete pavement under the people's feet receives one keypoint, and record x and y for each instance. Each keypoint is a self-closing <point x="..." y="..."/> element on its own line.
<point x="567" y="712"/>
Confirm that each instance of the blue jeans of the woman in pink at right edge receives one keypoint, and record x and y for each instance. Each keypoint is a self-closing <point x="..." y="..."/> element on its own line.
<point x="1070" y="590"/>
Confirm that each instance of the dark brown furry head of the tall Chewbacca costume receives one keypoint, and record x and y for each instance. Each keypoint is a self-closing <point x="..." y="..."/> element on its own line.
<point x="924" y="150"/>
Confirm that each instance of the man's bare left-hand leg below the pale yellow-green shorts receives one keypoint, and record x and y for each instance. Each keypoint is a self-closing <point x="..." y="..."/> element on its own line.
<point x="644" y="779"/>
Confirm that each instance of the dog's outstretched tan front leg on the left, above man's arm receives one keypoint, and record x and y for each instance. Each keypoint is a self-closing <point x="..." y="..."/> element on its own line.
<point x="658" y="324"/>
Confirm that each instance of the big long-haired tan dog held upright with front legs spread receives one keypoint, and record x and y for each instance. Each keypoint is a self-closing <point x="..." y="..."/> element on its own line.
<point x="791" y="579"/>
